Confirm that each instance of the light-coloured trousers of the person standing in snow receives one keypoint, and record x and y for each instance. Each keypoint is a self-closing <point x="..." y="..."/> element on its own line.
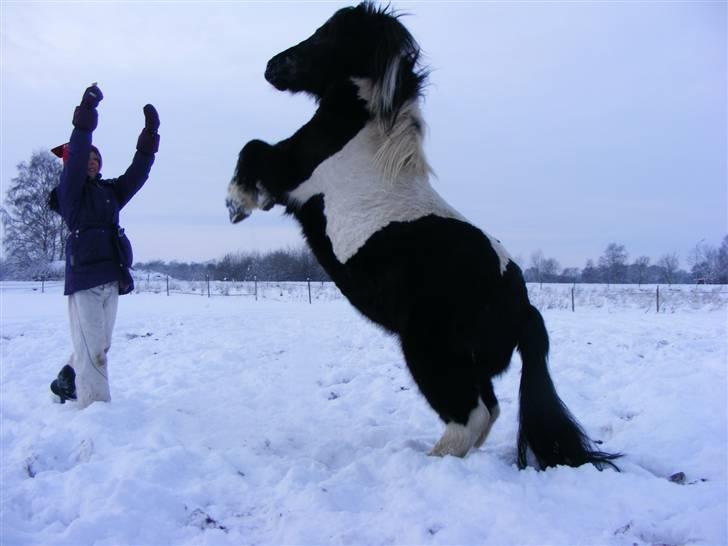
<point x="92" y="314"/>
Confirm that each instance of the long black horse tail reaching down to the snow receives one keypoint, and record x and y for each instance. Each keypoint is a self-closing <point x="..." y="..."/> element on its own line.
<point x="545" y="424"/>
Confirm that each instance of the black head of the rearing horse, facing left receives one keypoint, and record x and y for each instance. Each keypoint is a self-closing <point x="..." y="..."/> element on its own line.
<point x="362" y="42"/>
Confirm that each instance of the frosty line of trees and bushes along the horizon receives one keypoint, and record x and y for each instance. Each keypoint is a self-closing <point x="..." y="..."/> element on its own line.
<point x="35" y="237"/>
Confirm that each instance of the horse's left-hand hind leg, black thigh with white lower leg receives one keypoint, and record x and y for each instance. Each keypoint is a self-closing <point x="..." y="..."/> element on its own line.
<point x="448" y="382"/>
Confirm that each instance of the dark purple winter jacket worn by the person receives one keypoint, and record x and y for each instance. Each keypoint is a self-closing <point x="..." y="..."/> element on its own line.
<point x="97" y="251"/>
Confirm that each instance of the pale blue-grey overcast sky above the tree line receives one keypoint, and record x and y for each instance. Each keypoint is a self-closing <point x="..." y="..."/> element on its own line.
<point x="560" y="126"/>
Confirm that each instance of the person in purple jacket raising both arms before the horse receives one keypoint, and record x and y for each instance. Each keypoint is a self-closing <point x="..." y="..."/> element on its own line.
<point x="98" y="253"/>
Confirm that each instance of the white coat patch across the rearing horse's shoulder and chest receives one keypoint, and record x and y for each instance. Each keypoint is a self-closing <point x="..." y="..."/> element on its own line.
<point x="358" y="202"/>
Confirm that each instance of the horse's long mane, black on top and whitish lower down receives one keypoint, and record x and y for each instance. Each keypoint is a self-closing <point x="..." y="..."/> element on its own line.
<point x="393" y="95"/>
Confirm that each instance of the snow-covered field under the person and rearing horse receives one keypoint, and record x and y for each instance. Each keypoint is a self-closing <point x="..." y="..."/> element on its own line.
<point x="237" y="421"/>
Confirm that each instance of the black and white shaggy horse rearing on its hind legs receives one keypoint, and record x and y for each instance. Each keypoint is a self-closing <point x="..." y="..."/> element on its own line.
<point x="356" y="179"/>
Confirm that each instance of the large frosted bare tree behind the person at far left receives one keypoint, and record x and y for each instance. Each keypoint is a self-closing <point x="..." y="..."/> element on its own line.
<point x="34" y="234"/>
